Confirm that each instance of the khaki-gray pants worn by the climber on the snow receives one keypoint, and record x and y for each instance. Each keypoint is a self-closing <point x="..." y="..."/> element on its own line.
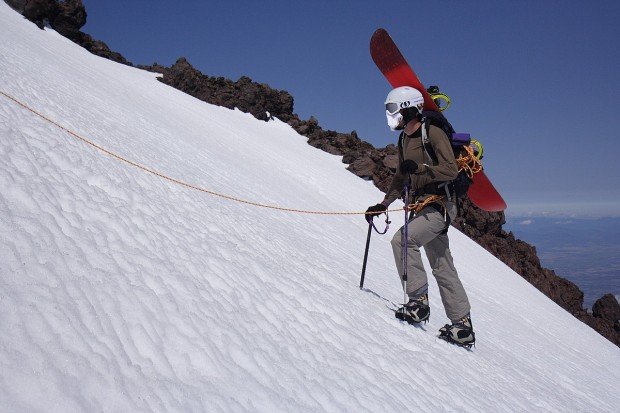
<point x="425" y="230"/>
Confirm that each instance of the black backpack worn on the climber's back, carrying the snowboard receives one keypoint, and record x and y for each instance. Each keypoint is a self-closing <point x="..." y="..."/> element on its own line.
<point x="460" y="185"/>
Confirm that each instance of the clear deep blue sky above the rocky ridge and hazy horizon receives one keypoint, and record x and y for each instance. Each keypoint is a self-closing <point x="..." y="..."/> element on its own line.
<point x="535" y="81"/>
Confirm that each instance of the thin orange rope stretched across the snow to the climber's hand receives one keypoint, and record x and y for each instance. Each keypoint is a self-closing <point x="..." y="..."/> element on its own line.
<point x="171" y="179"/>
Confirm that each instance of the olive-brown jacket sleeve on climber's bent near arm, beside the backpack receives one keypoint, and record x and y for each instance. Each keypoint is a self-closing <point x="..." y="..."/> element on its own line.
<point x="446" y="168"/>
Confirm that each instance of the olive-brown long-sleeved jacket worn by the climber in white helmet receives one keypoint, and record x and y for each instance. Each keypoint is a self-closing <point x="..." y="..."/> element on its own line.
<point x="429" y="171"/>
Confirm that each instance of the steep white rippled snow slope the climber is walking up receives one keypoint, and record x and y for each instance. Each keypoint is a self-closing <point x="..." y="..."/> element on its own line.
<point x="120" y="291"/>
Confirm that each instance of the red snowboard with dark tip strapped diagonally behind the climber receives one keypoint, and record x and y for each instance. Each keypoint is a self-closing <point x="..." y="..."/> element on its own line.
<point x="397" y="71"/>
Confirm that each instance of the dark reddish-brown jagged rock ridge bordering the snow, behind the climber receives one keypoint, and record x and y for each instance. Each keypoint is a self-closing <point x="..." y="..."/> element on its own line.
<point x="370" y="163"/>
